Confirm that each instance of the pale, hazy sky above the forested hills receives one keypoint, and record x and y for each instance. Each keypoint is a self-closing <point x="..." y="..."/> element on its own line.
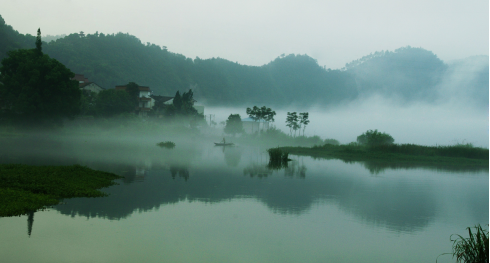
<point x="255" y="32"/>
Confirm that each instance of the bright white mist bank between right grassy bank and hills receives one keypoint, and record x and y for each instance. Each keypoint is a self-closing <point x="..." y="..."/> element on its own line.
<point x="441" y="123"/>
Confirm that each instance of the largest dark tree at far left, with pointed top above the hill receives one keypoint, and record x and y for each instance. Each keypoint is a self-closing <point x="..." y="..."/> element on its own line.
<point x="37" y="89"/>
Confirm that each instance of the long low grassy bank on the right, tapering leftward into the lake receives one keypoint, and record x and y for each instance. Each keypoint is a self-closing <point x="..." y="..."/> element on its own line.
<point x="406" y="155"/>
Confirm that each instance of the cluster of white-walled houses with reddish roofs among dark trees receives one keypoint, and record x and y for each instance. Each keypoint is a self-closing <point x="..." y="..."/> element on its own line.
<point x="146" y="99"/>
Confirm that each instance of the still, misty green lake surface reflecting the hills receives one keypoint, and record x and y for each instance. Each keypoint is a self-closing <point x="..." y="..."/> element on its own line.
<point x="201" y="203"/>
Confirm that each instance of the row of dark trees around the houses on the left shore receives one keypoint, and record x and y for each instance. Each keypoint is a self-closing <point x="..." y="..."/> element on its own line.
<point x="36" y="89"/>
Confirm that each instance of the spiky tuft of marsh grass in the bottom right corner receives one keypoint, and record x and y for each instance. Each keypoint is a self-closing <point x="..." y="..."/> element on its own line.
<point x="474" y="249"/>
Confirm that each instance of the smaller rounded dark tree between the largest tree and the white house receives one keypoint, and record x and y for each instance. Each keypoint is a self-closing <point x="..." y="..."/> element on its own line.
<point x="111" y="102"/>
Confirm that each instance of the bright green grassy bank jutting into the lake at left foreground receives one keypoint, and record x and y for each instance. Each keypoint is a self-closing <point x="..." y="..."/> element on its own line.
<point x="25" y="188"/>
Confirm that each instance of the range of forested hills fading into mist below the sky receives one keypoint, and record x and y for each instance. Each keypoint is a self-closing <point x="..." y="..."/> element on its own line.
<point x="406" y="74"/>
